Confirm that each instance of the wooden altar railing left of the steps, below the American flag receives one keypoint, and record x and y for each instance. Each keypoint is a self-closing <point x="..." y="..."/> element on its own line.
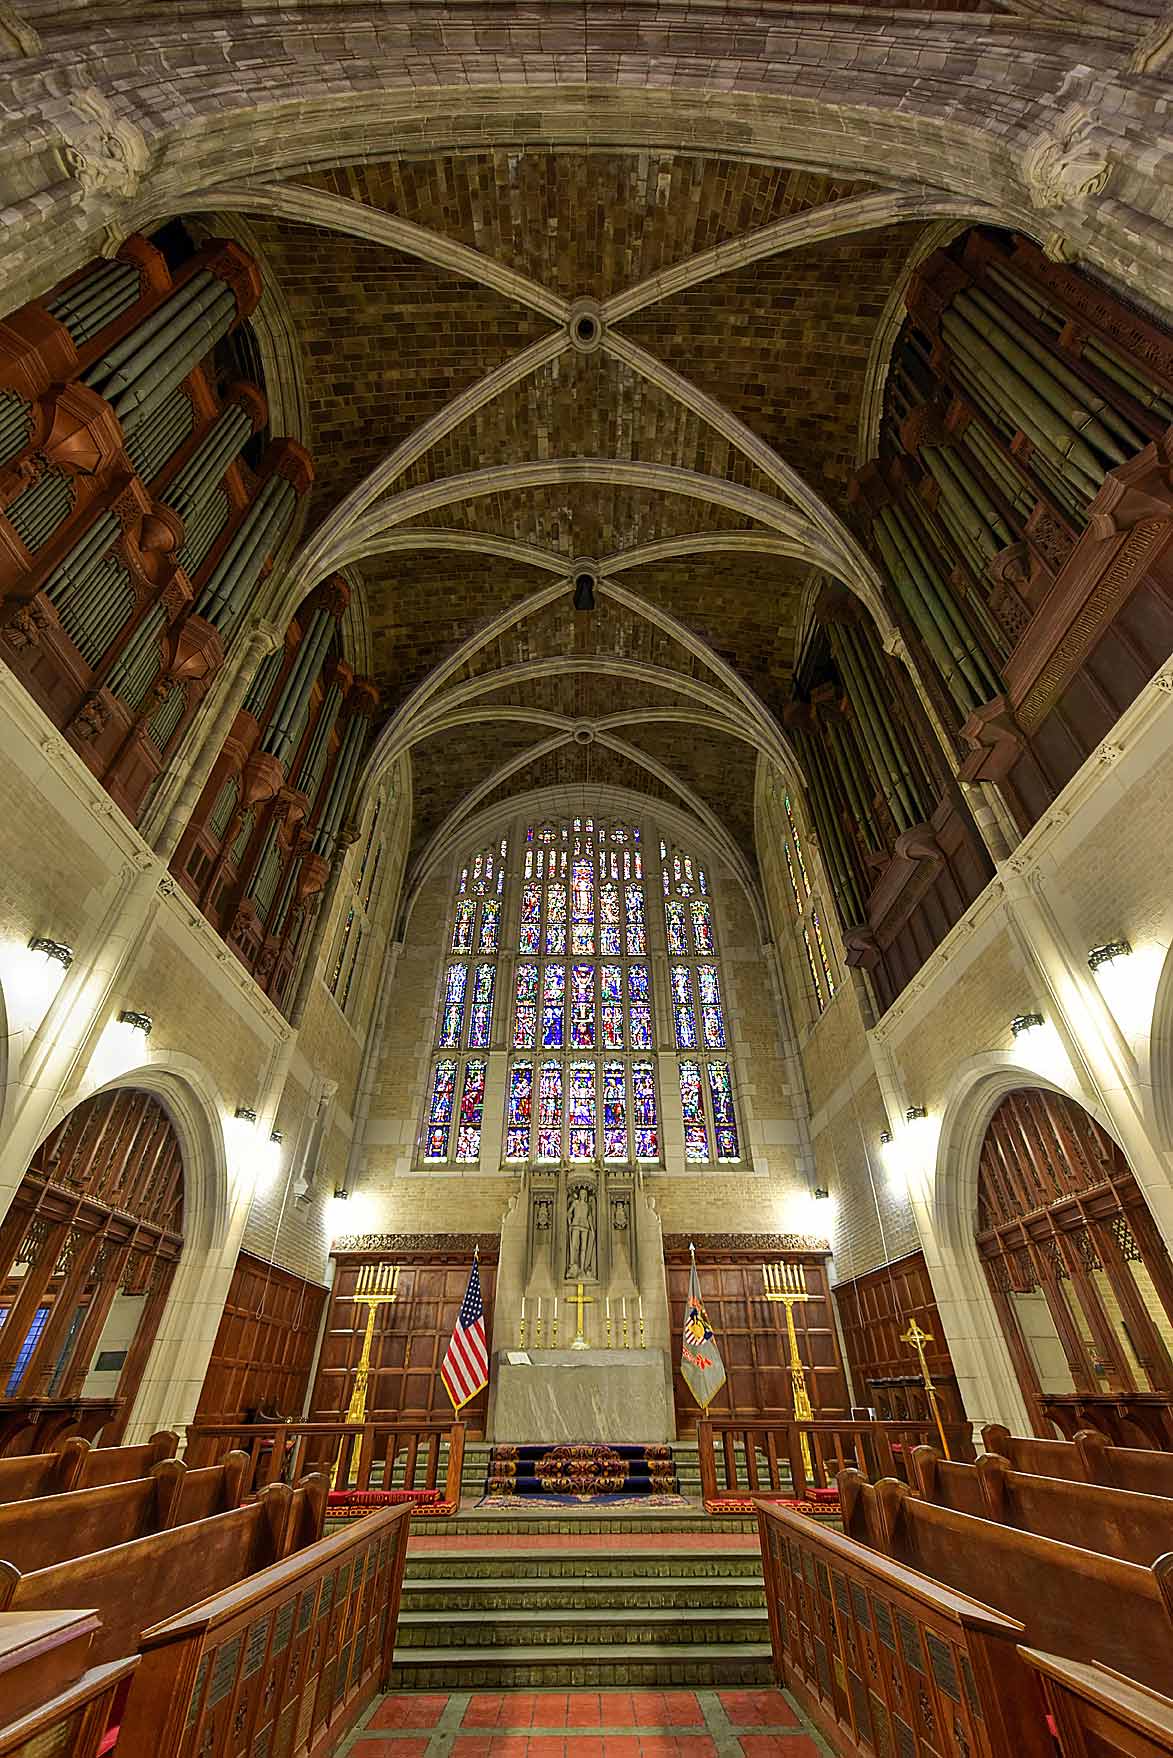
<point x="356" y="1455"/>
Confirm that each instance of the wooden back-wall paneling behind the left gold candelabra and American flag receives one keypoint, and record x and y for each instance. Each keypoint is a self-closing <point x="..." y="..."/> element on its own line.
<point x="411" y="1335"/>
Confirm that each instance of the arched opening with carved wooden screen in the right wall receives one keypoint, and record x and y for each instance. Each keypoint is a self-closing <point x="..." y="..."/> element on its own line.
<point x="1077" y="1270"/>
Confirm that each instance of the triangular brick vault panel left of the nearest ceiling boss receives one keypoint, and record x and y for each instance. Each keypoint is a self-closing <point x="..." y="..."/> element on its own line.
<point x="386" y="338"/>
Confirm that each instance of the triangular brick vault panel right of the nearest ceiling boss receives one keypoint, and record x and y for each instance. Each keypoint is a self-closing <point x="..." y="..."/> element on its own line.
<point x="785" y="344"/>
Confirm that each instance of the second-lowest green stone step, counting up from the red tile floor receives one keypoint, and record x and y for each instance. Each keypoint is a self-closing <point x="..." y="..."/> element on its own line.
<point x="608" y="1625"/>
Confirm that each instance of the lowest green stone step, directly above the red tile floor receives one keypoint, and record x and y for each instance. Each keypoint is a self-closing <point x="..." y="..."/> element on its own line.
<point x="550" y="1667"/>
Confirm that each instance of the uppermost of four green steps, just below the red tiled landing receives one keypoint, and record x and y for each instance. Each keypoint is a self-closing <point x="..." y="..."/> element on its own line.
<point x="583" y="1565"/>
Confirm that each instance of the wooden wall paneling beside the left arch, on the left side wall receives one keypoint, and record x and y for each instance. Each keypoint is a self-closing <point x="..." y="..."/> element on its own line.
<point x="265" y="1348"/>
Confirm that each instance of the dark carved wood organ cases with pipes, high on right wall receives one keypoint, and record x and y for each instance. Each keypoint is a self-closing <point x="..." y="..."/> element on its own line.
<point x="1021" y="512"/>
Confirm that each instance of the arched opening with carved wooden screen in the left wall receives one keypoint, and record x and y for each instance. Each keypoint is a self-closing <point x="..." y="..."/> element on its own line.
<point x="87" y="1258"/>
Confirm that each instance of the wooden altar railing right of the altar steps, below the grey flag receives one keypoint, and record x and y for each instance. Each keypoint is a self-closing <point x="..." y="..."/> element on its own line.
<point x="757" y="1458"/>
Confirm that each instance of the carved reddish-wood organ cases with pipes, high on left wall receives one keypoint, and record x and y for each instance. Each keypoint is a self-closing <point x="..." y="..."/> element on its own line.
<point x="142" y="507"/>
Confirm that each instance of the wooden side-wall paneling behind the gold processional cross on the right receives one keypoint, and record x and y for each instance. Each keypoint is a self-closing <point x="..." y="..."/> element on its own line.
<point x="875" y="1311"/>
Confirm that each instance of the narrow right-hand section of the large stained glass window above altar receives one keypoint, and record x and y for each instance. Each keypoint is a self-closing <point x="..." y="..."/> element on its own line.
<point x="699" y="1019"/>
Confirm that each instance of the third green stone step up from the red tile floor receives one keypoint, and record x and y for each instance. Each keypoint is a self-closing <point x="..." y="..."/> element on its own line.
<point x="500" y="1594"/>
